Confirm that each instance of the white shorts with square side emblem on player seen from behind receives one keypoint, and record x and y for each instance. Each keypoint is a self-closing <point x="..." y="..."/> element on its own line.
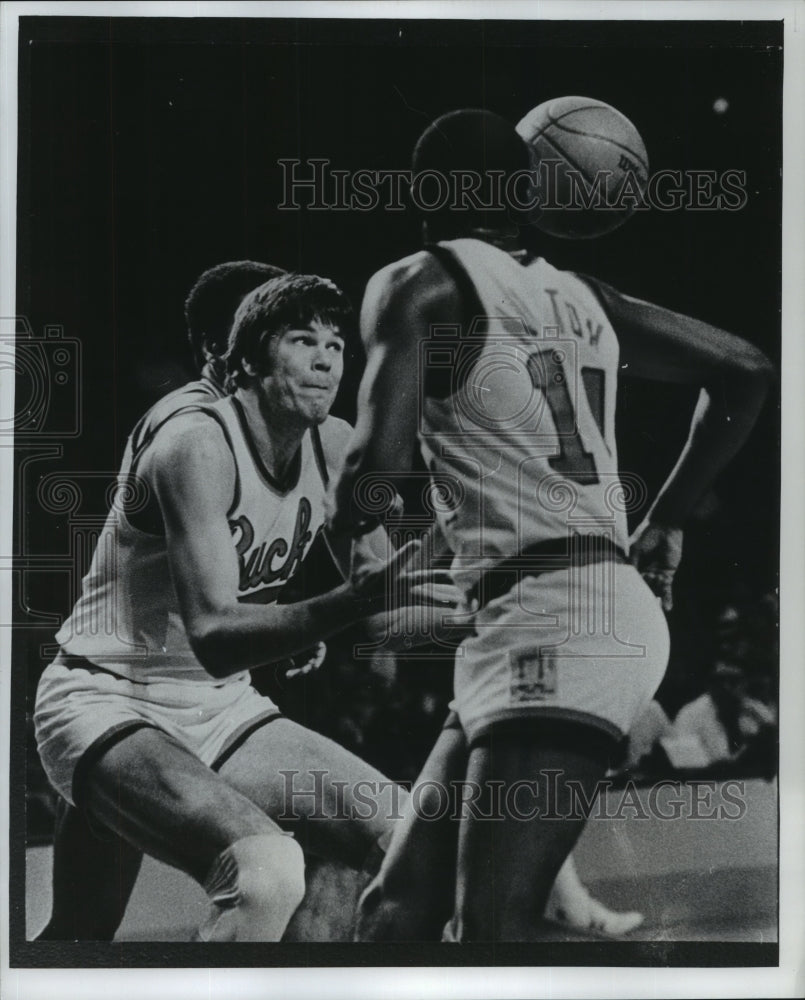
<point x="588" y="645"/>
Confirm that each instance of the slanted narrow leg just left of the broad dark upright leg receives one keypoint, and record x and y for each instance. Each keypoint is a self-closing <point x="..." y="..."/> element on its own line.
<point x="411" y="897"/>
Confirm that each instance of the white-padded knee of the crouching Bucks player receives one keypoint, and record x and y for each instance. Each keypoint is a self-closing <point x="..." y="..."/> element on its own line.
<point x="255" y="886"/>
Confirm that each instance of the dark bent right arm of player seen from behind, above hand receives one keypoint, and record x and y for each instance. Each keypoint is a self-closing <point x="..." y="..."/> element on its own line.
<point x="734" y="377"/>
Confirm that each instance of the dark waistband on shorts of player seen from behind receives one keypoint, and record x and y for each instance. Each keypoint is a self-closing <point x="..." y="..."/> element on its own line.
<point x="544" y="557"/>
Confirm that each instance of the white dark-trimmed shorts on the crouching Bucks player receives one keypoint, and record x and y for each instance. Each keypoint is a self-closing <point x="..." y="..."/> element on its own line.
<point x="81" y="710"/>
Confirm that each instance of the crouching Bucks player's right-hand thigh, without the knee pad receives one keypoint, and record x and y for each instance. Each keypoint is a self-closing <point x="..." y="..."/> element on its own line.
<point x="337" y="805"/>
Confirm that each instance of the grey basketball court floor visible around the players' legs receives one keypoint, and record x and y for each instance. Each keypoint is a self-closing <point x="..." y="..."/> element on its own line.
<point x="696" y="878"/>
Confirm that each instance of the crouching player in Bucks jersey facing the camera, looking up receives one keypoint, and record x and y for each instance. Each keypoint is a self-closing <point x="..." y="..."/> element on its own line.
<point x="150" y="724"/>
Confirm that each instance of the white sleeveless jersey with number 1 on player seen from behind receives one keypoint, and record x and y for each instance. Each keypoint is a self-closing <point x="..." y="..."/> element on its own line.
<point x="517" y="421"/>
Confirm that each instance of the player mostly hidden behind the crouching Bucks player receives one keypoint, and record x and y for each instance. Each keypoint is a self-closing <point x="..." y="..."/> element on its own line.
<point x="94" y="872"/>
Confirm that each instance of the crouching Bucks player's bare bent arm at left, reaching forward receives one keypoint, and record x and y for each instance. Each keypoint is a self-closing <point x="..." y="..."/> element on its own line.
<point x="193" y="474"/>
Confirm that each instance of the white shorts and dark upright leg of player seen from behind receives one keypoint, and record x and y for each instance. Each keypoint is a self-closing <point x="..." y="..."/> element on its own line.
<point x="571" y="692"/>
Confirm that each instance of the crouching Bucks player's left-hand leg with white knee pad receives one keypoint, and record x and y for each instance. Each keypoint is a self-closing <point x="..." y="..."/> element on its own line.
<point x="163" y="800"/>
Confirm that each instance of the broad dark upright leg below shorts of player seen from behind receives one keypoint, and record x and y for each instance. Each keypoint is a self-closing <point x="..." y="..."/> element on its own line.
<point x="507" y="864"/>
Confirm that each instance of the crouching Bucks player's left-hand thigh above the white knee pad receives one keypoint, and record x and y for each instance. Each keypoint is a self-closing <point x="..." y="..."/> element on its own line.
<point x="163" y="800"/>
